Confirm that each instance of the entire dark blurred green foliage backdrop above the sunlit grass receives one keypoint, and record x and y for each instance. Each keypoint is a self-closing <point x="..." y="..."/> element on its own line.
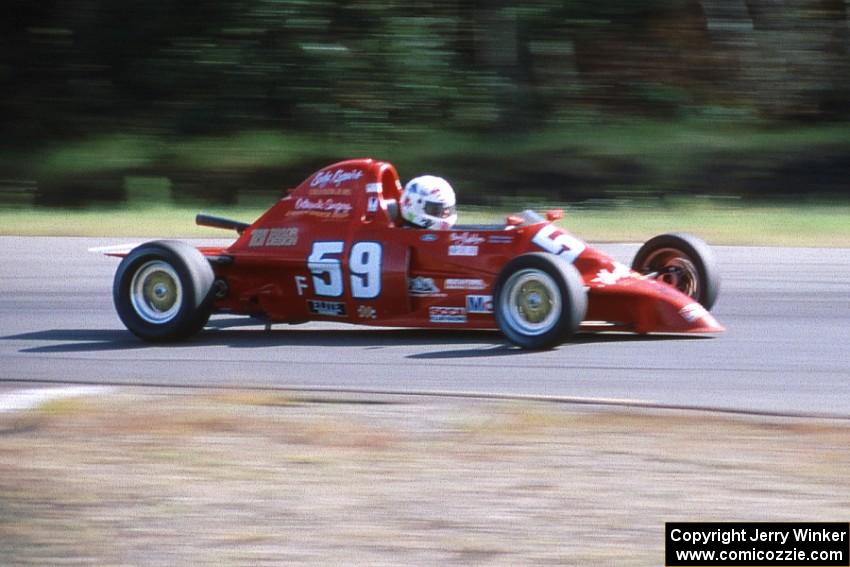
<point x="214" y="100"/>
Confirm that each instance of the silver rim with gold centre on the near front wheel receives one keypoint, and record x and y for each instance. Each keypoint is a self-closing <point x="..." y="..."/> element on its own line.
<point x="531" y="303"/>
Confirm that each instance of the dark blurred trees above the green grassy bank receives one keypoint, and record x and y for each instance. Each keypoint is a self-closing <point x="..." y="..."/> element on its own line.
<point x="178" y="69"/>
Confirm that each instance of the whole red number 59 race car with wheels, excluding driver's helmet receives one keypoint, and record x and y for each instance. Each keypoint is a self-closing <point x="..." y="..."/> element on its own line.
<point x="335" y="249"/>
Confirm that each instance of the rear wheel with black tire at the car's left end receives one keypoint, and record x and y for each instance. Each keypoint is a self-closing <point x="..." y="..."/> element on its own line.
<point x="163" y="291"/>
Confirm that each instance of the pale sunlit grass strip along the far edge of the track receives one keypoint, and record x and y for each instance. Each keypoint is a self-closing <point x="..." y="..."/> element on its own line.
<point x="717" y="222"/>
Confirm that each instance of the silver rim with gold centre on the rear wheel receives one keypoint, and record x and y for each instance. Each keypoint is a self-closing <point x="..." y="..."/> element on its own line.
<point x="156" y="292"/>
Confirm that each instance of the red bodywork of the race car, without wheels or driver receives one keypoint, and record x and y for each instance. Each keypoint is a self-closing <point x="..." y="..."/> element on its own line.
<point x="335" y="250"/>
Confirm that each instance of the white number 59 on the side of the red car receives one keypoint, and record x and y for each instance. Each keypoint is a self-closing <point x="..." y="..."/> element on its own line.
<point x="364" y="265"/>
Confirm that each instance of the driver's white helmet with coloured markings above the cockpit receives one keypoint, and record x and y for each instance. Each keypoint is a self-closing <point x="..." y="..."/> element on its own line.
<point x="429" y="202"/>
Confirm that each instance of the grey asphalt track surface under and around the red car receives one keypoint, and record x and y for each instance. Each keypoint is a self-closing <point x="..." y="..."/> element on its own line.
<point x="786" y="351"/>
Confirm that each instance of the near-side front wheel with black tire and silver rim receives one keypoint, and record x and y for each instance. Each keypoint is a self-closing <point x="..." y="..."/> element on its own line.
<point x="540" y="301"/>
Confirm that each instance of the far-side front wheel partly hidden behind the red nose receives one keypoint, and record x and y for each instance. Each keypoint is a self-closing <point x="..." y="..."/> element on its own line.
<point x="683" y="261"/>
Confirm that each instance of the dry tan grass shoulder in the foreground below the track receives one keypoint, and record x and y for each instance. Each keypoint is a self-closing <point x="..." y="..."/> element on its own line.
<point x="261" y="478"/>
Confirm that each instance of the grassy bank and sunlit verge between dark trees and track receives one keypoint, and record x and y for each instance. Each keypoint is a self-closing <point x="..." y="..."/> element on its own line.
<point x="628" y="163"/>
